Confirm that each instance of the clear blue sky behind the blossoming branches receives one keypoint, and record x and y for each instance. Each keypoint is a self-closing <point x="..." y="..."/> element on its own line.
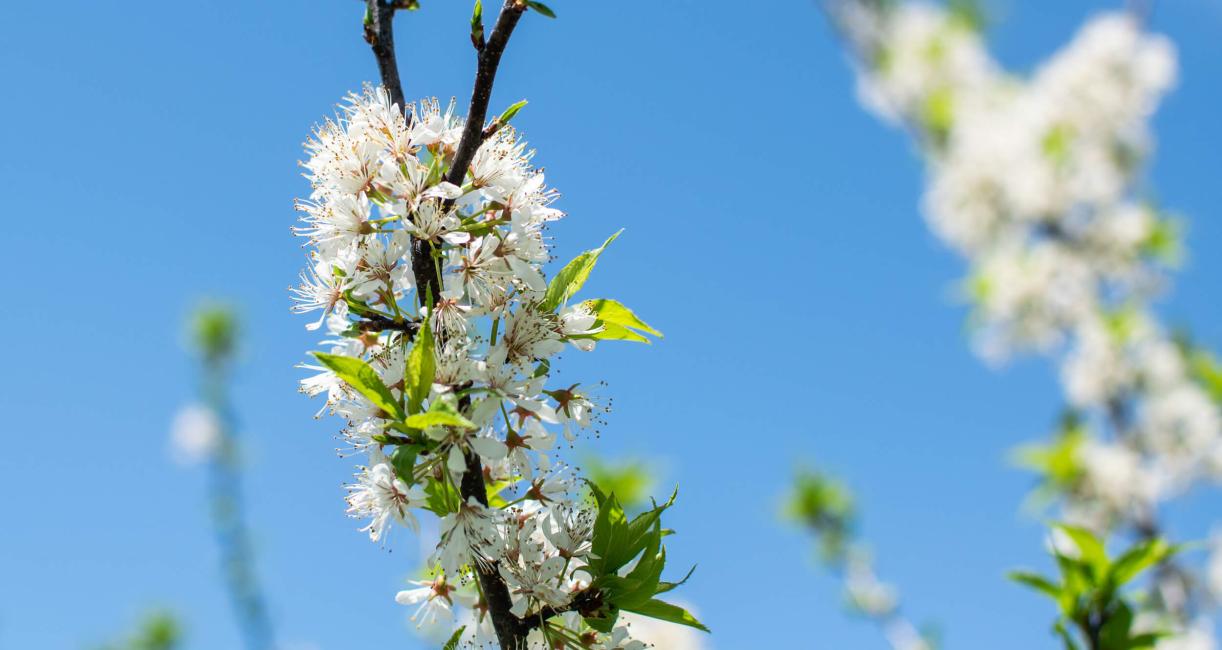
<point x="148" y="158"/>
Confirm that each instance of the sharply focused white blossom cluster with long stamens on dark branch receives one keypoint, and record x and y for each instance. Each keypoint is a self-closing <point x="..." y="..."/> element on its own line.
<point x="381" y="211"/>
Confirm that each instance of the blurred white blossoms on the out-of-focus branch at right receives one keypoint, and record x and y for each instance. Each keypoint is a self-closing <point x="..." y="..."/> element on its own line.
<point x="1034" y="181"/>
